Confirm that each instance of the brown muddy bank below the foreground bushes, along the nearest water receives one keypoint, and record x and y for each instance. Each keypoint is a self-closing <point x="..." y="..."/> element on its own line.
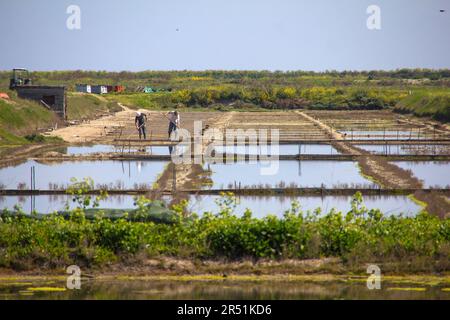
<point x="195" y="269"/>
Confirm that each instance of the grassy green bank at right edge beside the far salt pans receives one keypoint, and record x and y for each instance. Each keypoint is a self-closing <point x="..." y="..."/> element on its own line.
<point x="433" y="103"/>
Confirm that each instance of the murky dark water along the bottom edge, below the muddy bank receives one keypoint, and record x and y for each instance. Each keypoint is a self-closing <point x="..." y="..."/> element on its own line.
<point x="226" y="290"/>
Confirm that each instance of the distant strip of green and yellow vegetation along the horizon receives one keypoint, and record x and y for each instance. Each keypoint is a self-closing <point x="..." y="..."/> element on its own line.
<point x="192" y="79"/>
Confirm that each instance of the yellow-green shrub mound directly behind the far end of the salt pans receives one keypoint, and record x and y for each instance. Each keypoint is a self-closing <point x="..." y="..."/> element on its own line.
<point x="273" y="97"/>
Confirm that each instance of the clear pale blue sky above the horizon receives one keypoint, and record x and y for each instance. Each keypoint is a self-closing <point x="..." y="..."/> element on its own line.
<point x="224" y="34"/>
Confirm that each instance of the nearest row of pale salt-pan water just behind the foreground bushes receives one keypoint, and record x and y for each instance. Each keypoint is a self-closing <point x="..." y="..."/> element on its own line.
<point x="259" y="205"/>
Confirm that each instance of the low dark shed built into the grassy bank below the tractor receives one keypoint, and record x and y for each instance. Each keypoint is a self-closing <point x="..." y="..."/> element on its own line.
<point x="53" y="97"/>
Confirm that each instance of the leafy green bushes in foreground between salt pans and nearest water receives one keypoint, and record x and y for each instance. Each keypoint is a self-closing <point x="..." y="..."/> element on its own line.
<point x="358" y="236"/>
